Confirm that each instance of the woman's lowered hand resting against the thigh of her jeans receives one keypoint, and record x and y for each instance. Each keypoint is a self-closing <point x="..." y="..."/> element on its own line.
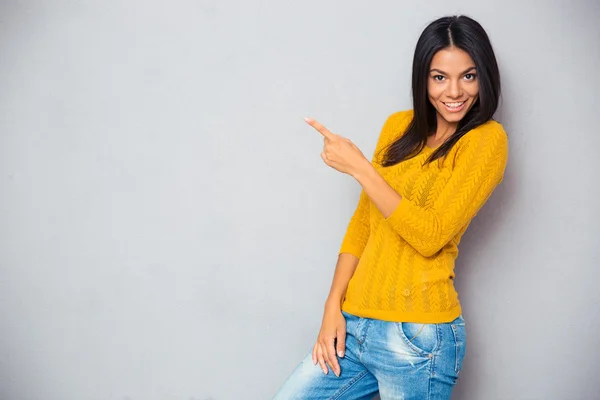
<point x="331" y="340"/>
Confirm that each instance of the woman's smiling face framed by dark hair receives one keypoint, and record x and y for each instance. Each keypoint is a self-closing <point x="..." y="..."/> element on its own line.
<point x="452" y="84"/>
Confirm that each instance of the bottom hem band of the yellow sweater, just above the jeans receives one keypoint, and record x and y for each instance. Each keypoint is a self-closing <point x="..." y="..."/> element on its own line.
<point x="402" y="316"/>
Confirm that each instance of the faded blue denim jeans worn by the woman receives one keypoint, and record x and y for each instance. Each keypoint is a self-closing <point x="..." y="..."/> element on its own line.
<point x="399" y="360"/>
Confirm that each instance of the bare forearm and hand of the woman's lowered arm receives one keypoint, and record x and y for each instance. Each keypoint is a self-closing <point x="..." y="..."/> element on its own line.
<point x="333" y="327"/>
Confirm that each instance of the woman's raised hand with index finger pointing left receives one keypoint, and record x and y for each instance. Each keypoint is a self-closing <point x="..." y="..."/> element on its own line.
<point x="338" y="152"/>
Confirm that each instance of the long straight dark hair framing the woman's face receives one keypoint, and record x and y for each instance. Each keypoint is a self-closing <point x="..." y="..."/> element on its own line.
<point x="468" y="35"/>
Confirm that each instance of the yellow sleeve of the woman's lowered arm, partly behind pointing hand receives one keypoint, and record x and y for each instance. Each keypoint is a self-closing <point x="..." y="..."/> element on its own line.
<point x="358" y="230"/>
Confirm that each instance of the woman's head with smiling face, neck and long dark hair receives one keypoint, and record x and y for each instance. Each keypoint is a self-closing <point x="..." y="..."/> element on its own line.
<point x="456" y="88"/>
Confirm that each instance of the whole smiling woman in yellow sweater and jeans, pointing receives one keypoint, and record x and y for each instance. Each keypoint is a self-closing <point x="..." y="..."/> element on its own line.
<point x="392" y="321"/>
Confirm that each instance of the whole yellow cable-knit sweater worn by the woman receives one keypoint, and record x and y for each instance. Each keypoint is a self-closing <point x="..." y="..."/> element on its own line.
<point x="406" y="267"/>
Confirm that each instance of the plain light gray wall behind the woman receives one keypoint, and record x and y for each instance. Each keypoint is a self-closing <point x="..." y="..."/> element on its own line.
<point x="169" y="231"/>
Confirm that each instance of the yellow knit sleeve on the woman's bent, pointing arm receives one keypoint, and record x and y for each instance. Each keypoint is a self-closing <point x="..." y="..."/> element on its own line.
<point x="479" y="167"/>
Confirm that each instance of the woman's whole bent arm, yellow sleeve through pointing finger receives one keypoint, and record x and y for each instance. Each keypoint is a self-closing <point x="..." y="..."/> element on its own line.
<point x="479" y="168"/>
